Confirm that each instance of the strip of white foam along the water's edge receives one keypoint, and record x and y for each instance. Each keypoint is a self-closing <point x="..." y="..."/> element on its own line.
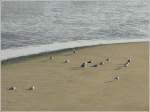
<point x="30" y="50"/>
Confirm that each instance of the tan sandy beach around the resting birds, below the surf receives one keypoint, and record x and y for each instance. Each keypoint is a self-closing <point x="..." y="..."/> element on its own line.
<point x="67" y="86"/>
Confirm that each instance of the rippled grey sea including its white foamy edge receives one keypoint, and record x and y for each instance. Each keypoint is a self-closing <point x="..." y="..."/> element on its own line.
<point x="33" y="27"/>
